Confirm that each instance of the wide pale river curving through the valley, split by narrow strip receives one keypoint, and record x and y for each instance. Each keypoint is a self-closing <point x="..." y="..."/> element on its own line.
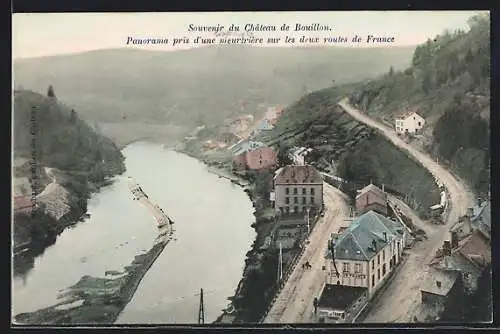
<point x="212" y="235"/>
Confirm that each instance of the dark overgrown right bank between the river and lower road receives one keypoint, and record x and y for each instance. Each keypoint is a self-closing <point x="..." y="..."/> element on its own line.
<point x="257" y="286"/>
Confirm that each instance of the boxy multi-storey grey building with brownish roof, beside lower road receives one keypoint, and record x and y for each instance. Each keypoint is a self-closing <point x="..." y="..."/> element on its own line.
<point x="298" y="188"/>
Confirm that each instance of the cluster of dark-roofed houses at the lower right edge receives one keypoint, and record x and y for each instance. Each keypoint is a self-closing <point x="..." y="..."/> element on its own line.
<point x="461" y="261"/>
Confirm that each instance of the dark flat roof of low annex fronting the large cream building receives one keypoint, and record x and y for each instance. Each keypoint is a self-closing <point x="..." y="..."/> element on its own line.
<point x="340" y="297"/>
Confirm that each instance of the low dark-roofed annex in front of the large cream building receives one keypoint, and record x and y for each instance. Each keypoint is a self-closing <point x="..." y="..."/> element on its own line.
<point x="340" y="304"/>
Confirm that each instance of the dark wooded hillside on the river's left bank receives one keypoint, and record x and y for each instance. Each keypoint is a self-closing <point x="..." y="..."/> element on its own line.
<point x="50" y="134"/>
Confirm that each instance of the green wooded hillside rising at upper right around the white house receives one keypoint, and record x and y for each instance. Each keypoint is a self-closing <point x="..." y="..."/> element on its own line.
<point x="448" y="82"/>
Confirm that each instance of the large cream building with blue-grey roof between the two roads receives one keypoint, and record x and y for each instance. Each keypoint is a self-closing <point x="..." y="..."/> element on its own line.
<point x="366" y="253"/>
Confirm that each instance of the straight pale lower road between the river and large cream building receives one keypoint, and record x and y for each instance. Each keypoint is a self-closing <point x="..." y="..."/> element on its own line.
<point x="294" y="303"/>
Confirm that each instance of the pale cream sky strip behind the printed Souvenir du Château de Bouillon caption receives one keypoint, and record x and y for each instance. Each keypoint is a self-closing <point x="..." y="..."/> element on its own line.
<point x="44" y="34"/>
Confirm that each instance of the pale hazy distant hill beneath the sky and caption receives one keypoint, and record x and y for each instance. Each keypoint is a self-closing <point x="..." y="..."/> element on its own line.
<point x="202" y="85"/>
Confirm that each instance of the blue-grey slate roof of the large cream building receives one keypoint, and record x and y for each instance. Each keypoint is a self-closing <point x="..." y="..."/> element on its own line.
<point x="364" y="237"/>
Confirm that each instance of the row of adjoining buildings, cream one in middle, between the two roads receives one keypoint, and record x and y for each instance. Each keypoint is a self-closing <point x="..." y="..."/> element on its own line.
<point x="361" y="257"/>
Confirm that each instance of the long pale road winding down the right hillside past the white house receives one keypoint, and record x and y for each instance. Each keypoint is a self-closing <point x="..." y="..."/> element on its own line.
<point x="402" y="297"/>
